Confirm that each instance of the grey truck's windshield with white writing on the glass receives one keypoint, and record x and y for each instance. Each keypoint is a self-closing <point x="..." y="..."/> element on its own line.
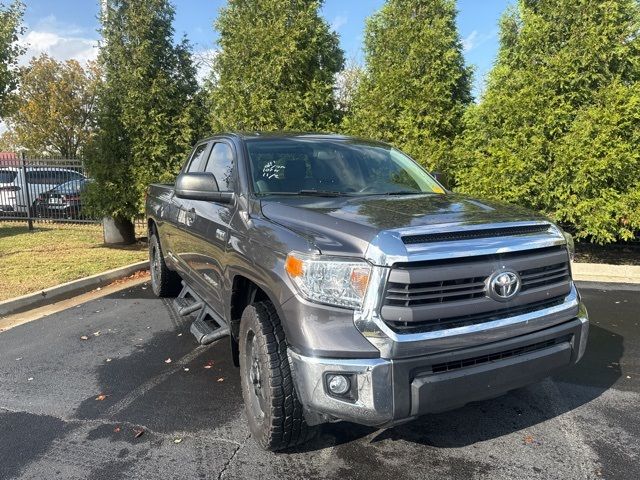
<point x="344" y="167"/>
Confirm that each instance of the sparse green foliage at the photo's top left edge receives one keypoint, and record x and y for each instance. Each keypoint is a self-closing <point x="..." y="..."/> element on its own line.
<point x="10" y="29"/>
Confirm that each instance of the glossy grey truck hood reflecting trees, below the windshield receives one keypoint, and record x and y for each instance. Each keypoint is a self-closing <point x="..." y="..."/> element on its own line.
<point x="346" y="225"/>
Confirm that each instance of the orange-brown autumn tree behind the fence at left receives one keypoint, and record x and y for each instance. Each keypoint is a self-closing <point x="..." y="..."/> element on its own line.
<point x="55" y="112"/>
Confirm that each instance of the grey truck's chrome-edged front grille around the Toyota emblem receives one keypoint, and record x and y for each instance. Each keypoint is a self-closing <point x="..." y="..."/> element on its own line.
<point x="445" y="294"/>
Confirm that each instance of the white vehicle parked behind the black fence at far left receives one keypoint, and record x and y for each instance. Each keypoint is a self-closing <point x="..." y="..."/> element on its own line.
<point x="14" y="185"/>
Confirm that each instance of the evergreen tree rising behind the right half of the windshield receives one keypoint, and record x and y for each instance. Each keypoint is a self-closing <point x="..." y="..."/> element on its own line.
<point x="415" y="87"/>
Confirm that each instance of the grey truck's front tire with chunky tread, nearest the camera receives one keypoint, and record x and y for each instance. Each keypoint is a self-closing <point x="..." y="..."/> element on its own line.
<point x="272" y="407"/>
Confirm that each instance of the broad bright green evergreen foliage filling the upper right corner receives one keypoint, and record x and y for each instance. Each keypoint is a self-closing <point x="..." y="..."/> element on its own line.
<point x="558" y="126"/>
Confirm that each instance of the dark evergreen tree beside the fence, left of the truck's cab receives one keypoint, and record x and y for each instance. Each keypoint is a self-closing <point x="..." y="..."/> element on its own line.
<point x="147" y="106"/>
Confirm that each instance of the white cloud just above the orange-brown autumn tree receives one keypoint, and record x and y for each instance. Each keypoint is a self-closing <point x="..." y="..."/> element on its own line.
<point x="60" y="41"/>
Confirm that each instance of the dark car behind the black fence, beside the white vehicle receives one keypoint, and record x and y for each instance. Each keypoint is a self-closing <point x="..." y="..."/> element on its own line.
<point x="63" y="201"/>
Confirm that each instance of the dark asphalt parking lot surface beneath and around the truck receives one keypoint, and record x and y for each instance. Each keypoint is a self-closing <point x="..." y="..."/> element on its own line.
<point x="90" y="393"/>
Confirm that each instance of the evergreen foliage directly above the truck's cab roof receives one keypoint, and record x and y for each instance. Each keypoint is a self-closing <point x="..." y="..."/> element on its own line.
<point x="276" y="67"/>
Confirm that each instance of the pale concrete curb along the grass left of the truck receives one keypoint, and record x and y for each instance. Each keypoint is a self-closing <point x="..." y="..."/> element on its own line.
<point x="69" y="289"/>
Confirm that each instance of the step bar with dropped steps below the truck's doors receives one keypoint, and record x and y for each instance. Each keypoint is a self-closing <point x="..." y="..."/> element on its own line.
<point x="208" y="326"/>
